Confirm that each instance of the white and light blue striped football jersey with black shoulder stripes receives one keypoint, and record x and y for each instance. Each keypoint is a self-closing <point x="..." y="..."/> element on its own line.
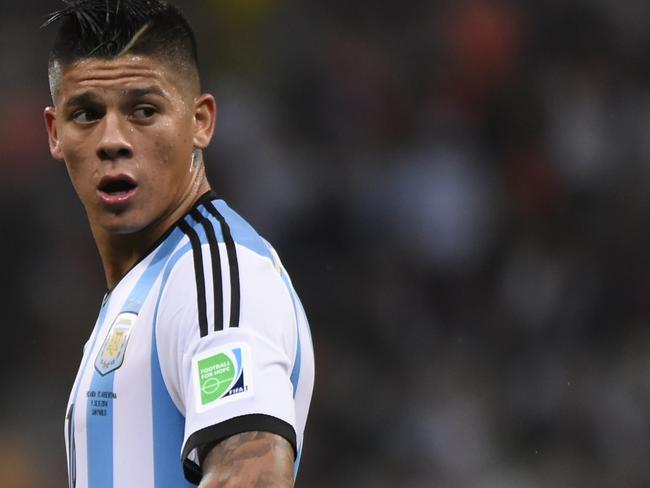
<point x="204" y="338"/>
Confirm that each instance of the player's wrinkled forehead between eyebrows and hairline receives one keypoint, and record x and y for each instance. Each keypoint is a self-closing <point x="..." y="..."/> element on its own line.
<point x="117" y="74"/>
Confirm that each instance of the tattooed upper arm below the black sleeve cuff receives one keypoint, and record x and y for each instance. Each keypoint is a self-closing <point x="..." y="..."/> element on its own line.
<point x="256" y="459"/>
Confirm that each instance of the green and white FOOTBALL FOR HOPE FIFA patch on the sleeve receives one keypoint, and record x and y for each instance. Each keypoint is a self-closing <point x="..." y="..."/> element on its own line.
<point x="222" y="375"/>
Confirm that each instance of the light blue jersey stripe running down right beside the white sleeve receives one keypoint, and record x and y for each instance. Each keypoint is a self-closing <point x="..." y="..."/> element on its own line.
<point x="168" y="423"/>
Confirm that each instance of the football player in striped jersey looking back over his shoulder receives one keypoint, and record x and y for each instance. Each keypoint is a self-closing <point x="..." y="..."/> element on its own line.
<point x="200" y="367"/>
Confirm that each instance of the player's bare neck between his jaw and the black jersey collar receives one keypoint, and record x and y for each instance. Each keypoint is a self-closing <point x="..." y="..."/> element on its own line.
<point x="120" y="252"/>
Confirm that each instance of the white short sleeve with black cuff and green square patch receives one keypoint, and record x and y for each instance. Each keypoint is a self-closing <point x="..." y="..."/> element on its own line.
<point x="231" y="379"/>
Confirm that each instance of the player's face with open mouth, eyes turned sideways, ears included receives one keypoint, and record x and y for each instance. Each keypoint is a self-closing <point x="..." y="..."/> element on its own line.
<point x="126" y="129"/>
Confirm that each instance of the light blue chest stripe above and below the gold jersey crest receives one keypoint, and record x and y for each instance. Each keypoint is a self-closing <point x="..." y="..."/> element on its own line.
<point x="100" y="427"/>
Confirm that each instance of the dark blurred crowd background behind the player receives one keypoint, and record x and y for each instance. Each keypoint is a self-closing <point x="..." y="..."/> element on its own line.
<point x="460" y="191"/>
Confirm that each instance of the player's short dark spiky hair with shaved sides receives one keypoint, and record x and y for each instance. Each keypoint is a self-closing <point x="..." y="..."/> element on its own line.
<point x="110" y="28"/>
